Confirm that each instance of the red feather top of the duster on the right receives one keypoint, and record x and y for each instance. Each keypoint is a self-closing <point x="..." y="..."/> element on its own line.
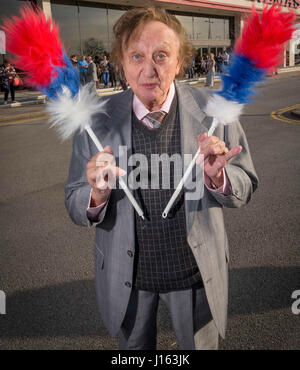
<point x="262" y="39"/>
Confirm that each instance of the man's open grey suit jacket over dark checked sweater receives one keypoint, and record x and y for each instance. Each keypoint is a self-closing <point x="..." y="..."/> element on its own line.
<point x="115" y="234"/>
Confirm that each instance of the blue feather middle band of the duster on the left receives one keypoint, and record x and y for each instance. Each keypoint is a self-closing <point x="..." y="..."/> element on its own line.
<point x="67" y="76"/>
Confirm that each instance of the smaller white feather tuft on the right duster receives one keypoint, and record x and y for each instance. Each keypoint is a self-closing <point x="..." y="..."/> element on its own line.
<point x="223" y="110"/>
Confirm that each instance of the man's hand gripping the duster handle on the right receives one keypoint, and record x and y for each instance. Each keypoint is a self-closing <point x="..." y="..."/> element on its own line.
<point x="216" y="157"/>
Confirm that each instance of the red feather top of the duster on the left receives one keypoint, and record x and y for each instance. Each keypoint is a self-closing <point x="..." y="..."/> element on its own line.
<point x="37" y="46"/>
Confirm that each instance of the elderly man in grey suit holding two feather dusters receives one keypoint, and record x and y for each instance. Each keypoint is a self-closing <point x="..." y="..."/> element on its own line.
<point x="181" y="260"/>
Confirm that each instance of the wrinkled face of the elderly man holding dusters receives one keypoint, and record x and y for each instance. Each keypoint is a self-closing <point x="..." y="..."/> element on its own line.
<point x="151" y="62"/>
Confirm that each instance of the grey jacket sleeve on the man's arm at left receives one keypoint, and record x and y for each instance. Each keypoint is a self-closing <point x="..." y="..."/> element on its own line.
<point x="77" y="190"/>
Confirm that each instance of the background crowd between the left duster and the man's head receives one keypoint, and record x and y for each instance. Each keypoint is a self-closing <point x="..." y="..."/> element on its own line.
<point x="99" y="71"/>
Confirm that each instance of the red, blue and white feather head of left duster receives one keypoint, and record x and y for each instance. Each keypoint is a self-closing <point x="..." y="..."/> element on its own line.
<point x="38" y="50"/>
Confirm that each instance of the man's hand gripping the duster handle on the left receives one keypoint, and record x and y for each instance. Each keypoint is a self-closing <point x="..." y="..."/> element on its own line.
<point x="101" y="174"/>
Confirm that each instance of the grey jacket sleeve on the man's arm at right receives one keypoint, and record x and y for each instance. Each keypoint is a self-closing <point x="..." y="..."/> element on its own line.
<point x="240" y="169"/>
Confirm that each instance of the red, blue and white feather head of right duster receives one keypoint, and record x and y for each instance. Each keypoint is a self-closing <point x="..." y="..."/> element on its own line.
<point x="258" y="50"/>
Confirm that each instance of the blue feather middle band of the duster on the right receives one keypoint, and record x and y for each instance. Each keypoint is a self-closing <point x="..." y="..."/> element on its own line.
<point x="239" y="81"/>
